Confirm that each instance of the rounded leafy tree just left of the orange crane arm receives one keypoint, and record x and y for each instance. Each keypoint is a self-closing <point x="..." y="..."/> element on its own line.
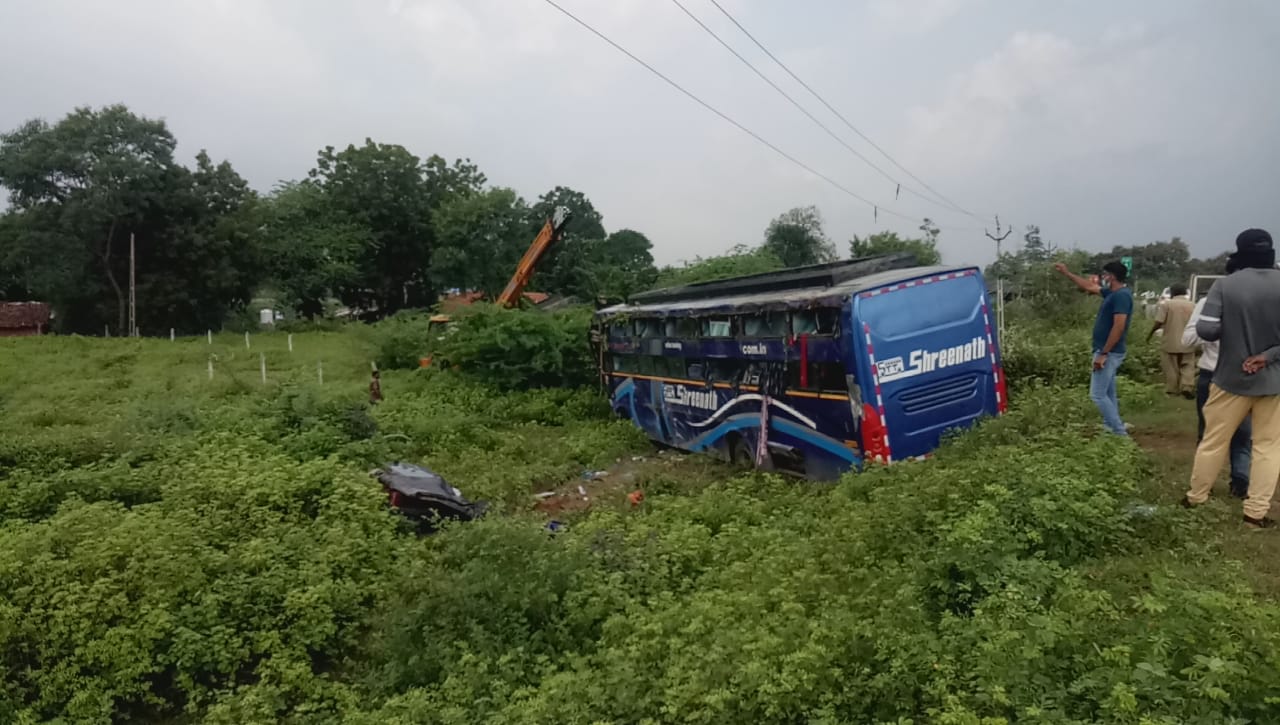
<point x="481" y="239"/>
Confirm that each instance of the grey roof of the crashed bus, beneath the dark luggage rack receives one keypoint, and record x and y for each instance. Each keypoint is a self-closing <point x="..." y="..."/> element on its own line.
<point x="810" y="293"/>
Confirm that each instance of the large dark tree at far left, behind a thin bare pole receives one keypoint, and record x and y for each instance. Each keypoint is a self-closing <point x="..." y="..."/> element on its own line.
<point x="80" y="189"/>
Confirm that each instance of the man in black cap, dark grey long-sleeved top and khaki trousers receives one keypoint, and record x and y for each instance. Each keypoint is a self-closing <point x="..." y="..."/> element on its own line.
<point x="1242" y="314"/>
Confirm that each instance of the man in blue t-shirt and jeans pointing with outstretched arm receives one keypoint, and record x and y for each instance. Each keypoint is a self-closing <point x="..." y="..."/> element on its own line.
<point x="1110" y="330"/>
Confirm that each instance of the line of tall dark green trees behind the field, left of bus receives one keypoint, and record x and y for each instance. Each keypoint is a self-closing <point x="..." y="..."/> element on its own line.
<point x="374" y="227"/>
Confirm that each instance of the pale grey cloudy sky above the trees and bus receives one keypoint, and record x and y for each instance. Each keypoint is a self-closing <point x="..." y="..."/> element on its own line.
<point x="1103" y="122"/>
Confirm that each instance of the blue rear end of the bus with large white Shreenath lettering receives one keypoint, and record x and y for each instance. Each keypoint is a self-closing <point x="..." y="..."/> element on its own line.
<point x="930" y="359"/>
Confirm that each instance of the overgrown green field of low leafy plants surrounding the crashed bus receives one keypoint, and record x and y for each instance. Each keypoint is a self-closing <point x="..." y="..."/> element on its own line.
<point x="177" y="549"/>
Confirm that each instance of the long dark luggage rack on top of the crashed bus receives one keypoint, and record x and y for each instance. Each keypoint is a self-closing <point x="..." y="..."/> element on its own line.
<point x="796" y="279"/>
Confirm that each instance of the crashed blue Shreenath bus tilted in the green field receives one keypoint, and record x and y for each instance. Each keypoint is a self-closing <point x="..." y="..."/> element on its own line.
<point x="812" y="371"/>
